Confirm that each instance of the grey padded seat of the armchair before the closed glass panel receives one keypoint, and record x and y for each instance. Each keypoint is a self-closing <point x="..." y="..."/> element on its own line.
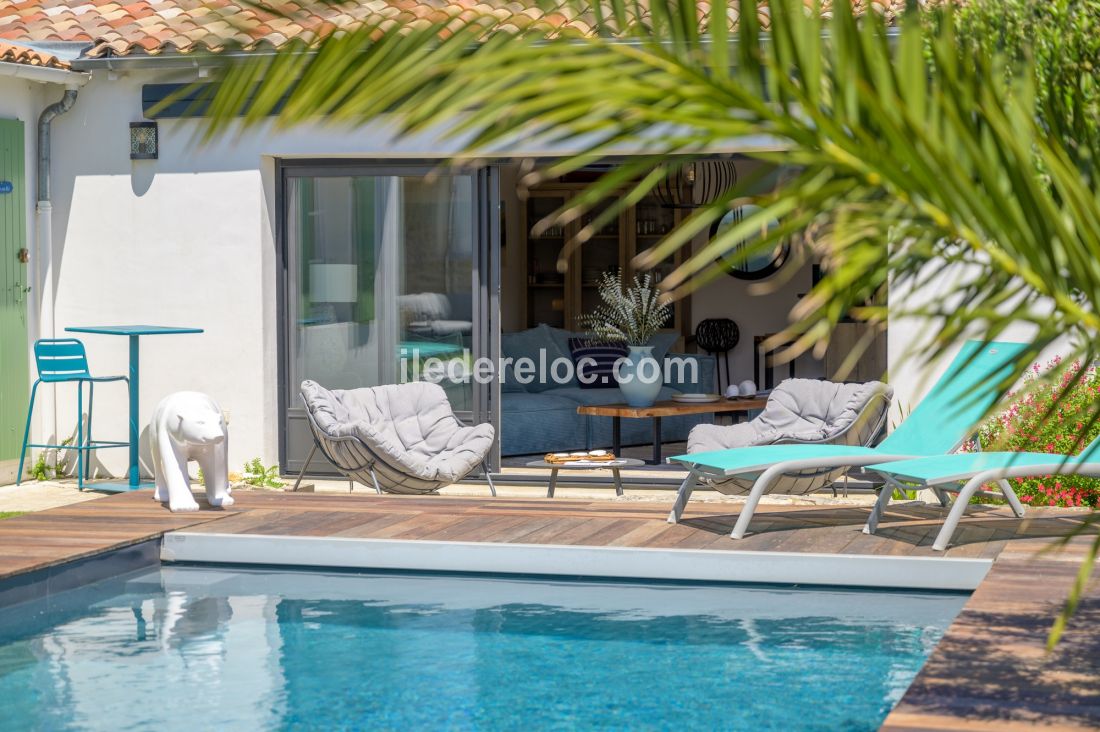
<point x="411" y="429"/>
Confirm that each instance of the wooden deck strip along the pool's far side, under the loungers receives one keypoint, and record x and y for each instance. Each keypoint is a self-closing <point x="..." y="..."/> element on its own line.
<point x="835" y="530"/>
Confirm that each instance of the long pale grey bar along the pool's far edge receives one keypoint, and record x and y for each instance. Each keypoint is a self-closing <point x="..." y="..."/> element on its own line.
<point x="560" y="561"/>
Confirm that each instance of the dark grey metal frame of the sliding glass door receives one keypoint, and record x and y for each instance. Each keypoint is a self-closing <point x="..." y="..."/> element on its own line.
<point x="486" y="287"/>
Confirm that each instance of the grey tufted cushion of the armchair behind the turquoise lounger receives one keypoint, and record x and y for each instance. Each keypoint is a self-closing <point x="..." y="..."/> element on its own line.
<point x="800" y="410"/>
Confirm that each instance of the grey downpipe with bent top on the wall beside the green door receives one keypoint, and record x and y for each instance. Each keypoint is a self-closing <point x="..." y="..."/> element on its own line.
<point x="45" y="256"/>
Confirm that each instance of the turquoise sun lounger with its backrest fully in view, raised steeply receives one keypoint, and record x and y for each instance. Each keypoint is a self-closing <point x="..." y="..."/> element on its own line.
<point x="942" y="422"/>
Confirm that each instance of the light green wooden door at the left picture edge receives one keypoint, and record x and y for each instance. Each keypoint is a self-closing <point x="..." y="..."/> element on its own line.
<point x="14" y="293"/>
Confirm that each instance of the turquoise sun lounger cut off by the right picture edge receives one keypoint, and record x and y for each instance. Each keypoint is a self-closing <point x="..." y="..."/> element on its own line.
<point x="966" y="473"/>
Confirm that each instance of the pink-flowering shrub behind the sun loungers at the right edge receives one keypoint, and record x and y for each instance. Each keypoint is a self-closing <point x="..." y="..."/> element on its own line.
<point x="1027" y="427"/>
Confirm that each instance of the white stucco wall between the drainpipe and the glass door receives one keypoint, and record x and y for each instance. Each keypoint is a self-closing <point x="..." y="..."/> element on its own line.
<point x="182" y="241"/>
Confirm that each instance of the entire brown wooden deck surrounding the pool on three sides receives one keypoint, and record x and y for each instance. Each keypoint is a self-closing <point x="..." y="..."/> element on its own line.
<point x="989" y="673"/>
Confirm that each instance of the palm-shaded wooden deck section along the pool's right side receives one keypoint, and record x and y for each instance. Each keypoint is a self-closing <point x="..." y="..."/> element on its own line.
<point x="992" y="671"/>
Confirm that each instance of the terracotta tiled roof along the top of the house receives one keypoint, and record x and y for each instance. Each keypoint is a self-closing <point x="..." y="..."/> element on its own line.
<point x="153" y="27"/>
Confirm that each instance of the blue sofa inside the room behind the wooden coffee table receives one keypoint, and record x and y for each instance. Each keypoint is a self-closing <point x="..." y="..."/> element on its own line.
<point x="542" y="418"/>
